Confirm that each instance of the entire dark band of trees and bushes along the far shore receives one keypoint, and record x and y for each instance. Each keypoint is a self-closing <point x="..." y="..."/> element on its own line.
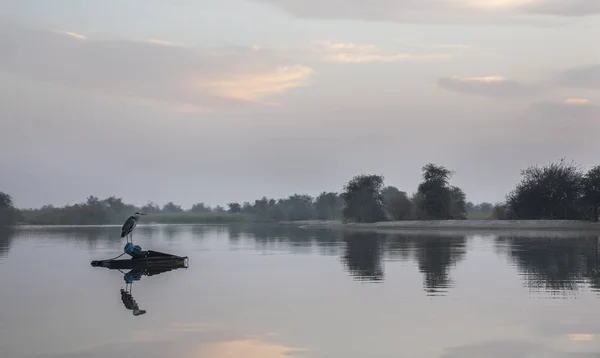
<point x="560" y="195"/>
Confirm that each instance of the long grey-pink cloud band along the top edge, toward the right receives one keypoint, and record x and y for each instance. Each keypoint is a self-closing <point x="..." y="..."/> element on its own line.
<point x="479" y="11"/>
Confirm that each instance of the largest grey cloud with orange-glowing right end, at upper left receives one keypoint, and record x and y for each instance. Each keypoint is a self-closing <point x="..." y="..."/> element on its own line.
<point x="150" y="71"/>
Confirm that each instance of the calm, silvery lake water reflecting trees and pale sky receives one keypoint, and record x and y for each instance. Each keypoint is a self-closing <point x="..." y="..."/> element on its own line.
<point x="275" y="292"/>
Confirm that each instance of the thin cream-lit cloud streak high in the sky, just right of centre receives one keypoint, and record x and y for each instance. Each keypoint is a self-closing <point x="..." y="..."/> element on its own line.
<point x="339" y="52"/>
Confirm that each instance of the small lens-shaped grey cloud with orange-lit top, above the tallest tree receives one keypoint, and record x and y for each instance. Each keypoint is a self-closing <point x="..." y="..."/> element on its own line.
<point x="487" y="86"/>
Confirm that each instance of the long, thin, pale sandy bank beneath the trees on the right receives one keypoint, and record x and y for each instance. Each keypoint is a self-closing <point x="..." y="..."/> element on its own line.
<point x="455" y="225"/>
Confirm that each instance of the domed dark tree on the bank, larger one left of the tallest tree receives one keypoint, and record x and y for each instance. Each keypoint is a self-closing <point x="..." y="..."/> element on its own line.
<point x="363" y="200"/>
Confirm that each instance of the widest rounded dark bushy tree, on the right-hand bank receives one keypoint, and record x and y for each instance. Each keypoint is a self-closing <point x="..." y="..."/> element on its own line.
<point x="552" y="192"/>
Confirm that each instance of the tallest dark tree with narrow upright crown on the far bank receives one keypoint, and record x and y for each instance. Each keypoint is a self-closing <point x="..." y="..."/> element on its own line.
<point x="435" y="194"/>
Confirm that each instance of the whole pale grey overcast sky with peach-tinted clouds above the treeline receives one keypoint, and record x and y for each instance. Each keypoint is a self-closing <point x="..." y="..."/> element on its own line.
<point x="231" y="100"/>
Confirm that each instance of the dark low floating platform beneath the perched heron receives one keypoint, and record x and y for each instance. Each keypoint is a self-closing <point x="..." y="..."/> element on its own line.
<point x="152" y="259"/>
